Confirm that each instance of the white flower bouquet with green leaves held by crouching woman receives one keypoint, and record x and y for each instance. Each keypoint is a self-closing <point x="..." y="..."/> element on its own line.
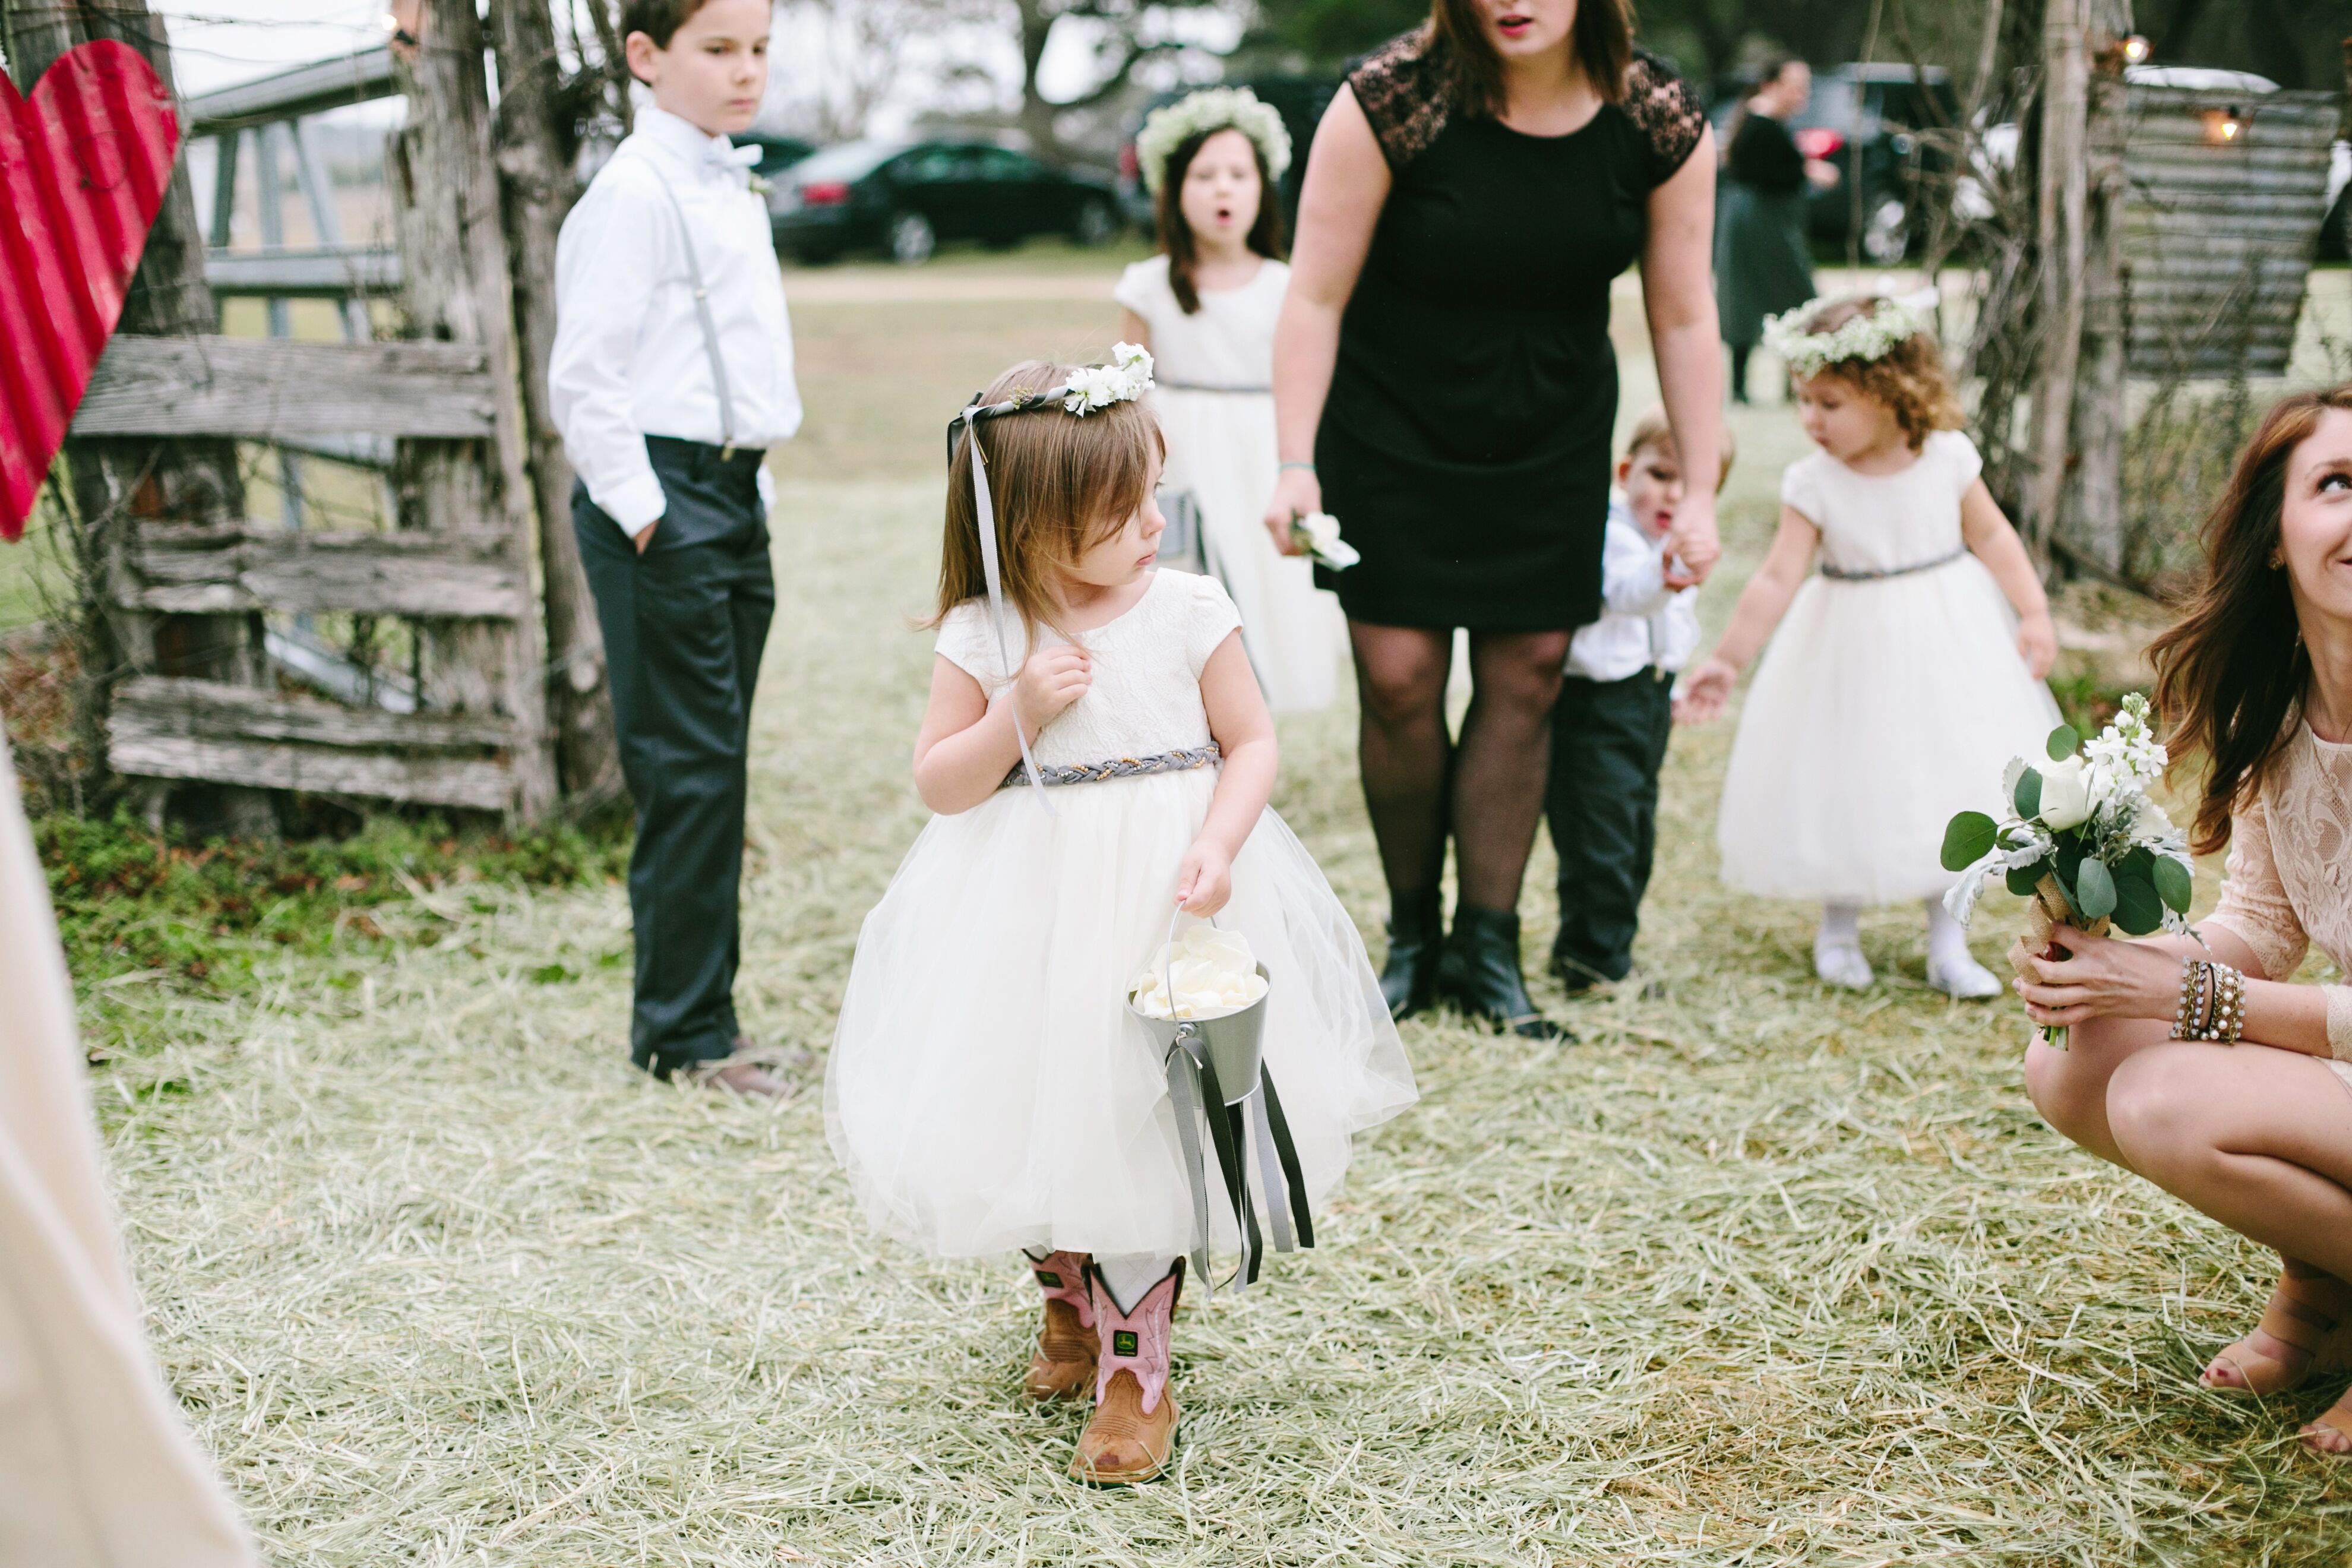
<point x="2087" y="843"/>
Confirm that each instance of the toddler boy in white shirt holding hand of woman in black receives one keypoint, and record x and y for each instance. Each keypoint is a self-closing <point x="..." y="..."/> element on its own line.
<point x="1617" y="713"/>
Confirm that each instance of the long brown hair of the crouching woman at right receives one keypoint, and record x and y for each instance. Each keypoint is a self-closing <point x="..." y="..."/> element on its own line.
<point x="2233" y="671"/>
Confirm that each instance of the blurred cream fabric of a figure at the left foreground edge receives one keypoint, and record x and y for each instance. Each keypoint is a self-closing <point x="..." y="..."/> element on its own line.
<point x="98" y="1459"/>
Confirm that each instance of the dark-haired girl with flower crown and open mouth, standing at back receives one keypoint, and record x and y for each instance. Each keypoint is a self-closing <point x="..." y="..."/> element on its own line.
<point x="1208" y="307"/>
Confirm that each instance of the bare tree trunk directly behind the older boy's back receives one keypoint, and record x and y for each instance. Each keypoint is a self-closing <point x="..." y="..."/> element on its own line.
<point x="537" y="189"/>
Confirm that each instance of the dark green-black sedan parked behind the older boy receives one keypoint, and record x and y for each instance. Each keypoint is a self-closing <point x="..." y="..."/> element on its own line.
<point x="909" y="199"/>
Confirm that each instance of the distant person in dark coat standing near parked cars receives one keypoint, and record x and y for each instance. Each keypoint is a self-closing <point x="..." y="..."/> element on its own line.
<point x="1760" y="239"/>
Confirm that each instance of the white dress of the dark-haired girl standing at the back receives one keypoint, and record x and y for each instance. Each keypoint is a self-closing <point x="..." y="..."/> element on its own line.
<point x="1217" y="408"/>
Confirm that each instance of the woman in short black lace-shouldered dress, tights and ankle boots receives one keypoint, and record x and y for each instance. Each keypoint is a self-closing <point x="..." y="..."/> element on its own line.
<point x="1445" y="387"/>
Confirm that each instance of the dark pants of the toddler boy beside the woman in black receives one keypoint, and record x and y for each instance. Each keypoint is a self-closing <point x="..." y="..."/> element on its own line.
<point x="1603" y="810"/>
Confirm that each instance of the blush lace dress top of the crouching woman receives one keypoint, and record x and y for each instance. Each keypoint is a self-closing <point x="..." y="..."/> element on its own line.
<point x="2290" y="876"/>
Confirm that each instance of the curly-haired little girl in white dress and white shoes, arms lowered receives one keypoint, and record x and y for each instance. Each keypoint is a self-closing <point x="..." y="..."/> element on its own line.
<point x="1899" y="683"/>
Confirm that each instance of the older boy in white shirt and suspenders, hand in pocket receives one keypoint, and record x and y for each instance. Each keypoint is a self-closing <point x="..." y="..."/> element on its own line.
<point x="671" y="377"/>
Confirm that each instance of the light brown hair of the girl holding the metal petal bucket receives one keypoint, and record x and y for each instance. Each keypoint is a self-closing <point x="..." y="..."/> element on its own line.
<point x="1057" y="483"/>
